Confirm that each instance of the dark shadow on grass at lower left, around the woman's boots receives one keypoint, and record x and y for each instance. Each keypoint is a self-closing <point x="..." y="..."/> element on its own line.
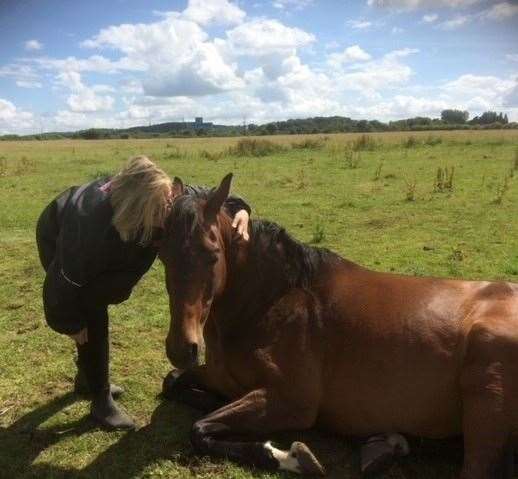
<point x="165" y="437"/>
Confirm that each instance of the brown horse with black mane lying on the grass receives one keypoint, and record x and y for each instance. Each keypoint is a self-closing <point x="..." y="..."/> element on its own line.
<point x="297" y="336"/>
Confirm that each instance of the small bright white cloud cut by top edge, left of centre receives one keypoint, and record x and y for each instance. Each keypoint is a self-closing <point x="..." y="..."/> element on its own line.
<point x="204" y="12"/>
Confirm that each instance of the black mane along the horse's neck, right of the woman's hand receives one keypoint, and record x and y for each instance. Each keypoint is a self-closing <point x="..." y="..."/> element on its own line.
<point x="279" y="254"/>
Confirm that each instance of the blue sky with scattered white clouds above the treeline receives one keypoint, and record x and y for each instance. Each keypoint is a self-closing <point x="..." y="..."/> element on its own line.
<point x="68" y="65"/>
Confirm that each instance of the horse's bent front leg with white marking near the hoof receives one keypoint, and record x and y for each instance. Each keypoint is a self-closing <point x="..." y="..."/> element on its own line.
<point x="259" y="412"/>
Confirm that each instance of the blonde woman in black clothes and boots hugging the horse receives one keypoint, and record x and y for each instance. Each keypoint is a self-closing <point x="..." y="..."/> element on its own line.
<point x="95" y="242"/>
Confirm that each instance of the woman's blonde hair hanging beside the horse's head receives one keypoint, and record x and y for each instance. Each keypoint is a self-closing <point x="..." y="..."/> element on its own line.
<point x="139" y="197"/>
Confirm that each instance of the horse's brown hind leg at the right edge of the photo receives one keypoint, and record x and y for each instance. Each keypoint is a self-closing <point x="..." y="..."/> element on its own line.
<point x="485" y="423"/>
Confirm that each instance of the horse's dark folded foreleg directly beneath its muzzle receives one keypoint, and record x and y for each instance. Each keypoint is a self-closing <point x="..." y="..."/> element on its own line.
<point x="189" y="388"/>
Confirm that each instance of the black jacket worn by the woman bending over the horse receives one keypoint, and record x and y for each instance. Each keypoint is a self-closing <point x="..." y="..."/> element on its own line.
<point x="90" y="265"/>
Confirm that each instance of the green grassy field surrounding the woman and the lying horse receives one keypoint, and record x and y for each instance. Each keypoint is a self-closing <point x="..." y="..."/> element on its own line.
<point x="378" y="200"/>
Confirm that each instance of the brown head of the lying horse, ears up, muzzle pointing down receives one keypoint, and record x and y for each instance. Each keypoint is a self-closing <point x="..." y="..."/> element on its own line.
<point x="193" y="253"/>
